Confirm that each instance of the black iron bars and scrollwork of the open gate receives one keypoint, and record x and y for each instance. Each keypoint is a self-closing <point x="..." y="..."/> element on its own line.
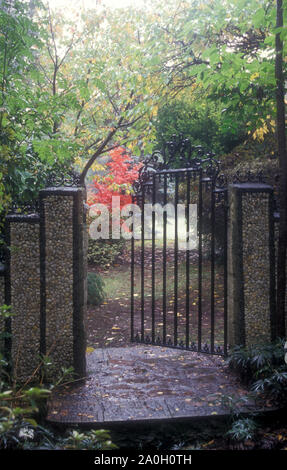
<point x="204" y="173"/>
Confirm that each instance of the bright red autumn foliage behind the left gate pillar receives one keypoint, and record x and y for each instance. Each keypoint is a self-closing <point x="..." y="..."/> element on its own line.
<point x="117" y="182"/>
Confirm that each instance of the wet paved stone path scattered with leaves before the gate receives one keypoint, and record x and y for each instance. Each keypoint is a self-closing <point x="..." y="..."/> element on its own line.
<point x="145" y="383"/>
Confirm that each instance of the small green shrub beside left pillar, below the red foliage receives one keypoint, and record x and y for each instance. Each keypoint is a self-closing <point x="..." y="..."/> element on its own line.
<point x="104" y="252"/>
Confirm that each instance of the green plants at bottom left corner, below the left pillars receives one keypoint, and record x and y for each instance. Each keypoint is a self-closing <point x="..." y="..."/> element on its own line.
<point x="23" y="408"/>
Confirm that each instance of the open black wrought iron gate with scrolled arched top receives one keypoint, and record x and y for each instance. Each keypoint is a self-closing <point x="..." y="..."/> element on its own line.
<point x="179" y="259"/>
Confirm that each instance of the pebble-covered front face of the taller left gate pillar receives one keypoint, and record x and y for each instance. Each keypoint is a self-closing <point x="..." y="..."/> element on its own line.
<point x="59" y="279"/>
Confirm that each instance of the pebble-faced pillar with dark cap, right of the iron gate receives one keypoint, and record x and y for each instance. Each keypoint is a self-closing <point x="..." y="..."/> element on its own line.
<point x="251" y="270"/>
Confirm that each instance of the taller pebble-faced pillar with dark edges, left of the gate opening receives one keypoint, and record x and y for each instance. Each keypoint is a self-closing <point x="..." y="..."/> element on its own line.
<point x="63" y="277"/>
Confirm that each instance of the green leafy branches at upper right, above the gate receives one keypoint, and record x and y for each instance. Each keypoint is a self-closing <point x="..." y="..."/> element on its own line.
<point x="223" y="52"/>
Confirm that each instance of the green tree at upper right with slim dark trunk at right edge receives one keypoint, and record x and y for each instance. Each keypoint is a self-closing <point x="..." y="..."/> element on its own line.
<point x="230" y="50"/>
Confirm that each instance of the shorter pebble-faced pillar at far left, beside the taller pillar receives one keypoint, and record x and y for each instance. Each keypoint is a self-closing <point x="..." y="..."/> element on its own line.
<point x="24" y="293"/>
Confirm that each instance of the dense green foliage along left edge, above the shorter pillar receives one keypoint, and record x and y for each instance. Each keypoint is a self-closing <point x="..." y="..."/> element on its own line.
<point x="28" y="151"/>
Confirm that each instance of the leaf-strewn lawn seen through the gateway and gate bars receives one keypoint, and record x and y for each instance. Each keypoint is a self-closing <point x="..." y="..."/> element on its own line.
<point x="109" y="323"/>
